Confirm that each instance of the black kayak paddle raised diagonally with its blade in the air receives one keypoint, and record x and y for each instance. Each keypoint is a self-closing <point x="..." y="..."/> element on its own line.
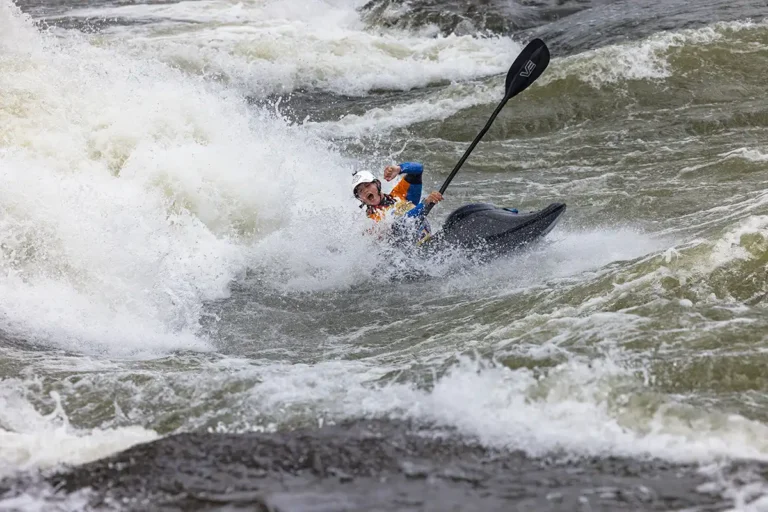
<point x="528" y="66"/>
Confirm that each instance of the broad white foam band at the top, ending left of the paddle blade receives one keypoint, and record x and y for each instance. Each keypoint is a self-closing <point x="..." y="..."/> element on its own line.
<point x="278" y="47"/>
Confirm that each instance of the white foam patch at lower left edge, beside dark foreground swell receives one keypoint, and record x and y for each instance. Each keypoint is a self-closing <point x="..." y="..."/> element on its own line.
<point x="31" y="441"/>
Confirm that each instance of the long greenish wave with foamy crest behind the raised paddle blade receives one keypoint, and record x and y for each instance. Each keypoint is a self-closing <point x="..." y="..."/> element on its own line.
<point x="668" y="72"/>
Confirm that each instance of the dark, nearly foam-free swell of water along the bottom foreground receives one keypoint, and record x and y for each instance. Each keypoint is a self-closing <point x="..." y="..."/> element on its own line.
<point x="376" y="465"/>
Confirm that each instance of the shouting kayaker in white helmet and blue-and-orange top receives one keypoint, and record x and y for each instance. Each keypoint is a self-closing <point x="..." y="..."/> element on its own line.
<point x="404" y="200"/>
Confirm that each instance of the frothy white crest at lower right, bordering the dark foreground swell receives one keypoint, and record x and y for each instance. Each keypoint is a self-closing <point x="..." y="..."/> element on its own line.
<point x="573" y="409"/>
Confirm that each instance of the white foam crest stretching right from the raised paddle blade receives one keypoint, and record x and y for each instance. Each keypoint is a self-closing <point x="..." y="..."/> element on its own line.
<point x="640" y="60"/>
